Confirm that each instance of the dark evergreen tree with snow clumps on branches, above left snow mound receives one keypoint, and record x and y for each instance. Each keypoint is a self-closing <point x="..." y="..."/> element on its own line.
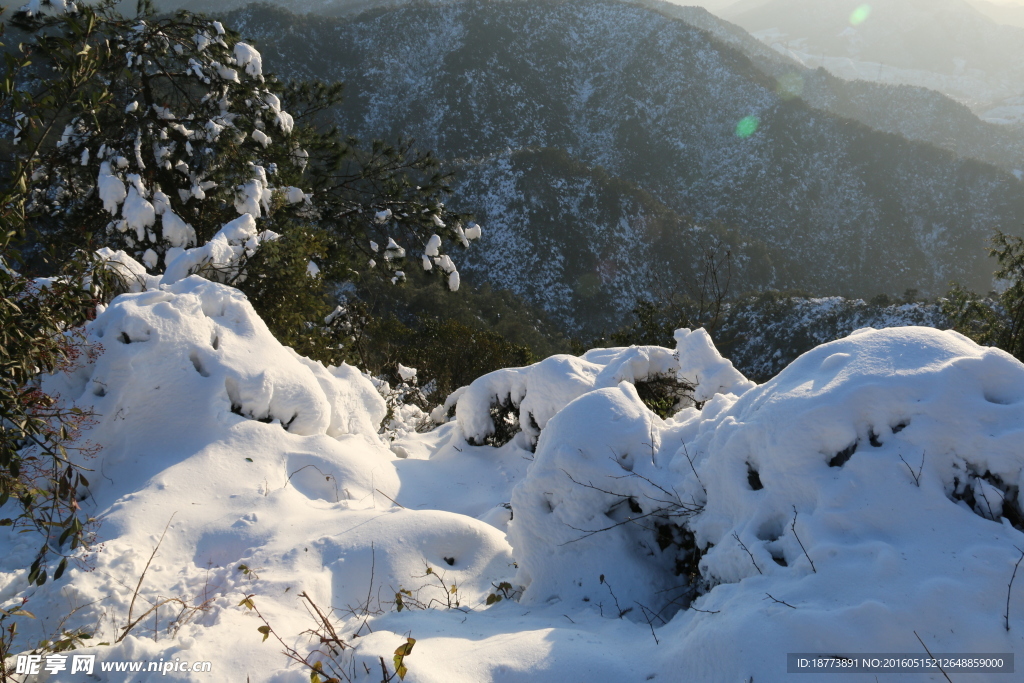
<point x="162" y="141"/>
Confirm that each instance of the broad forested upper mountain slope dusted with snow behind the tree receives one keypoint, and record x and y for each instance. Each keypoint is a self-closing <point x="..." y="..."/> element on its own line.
<point x="657" y="102"/>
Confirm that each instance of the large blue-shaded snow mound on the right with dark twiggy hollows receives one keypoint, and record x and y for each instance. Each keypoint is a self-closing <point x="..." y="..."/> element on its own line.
<point x="869" y="491"/>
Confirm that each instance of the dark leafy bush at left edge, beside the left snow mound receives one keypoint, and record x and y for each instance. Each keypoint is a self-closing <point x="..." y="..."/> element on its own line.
<point x="39" y="334"/>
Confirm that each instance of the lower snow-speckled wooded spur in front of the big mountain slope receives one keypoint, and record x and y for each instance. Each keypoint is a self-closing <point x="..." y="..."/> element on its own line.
<point x="586" y="246"/>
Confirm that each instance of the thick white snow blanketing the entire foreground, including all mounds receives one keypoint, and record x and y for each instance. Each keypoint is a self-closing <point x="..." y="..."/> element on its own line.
<point x="861" y="500"/>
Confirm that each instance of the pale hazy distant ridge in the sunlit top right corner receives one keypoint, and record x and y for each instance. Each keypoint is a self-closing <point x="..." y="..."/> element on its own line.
<point x="948" y="46"/>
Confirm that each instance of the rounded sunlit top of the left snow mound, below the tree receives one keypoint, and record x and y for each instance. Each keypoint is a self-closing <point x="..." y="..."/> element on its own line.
<point x="212" y="330"/>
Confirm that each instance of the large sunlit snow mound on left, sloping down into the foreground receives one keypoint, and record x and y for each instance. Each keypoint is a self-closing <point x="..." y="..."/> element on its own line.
<point x="261" y="456"/>
